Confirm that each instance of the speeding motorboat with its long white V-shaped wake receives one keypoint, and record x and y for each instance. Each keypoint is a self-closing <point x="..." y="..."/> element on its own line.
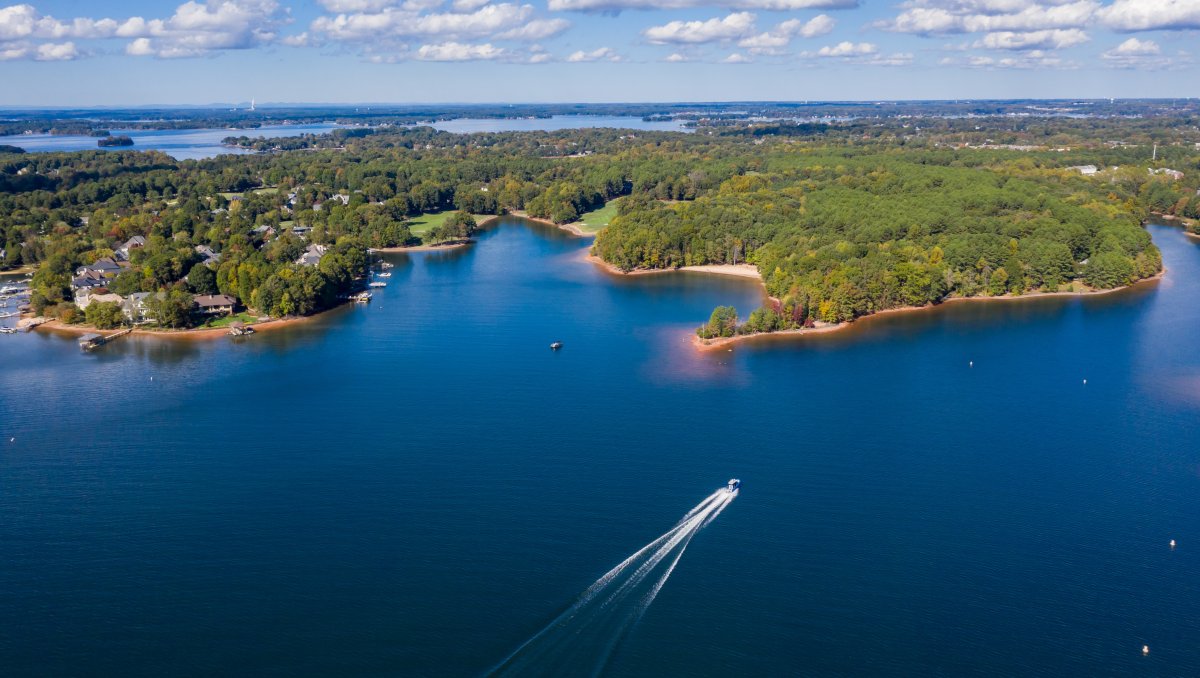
<point x="584" y="639"/>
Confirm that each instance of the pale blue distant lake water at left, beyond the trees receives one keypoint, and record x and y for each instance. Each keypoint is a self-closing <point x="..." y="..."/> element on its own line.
<point x="179" y="145"/>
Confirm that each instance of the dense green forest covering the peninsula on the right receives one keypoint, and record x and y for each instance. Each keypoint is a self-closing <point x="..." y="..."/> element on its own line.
<point x="837" y="238"/>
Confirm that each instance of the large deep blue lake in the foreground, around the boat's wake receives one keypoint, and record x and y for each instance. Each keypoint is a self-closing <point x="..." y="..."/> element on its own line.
<point x="419" y="485"/>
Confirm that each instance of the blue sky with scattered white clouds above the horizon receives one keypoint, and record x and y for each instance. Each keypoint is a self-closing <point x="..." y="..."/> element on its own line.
<point x="142" y="53"/>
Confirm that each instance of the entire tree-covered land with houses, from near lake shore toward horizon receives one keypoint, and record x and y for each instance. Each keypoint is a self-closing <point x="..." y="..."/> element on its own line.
<point x="843" y="220"/>
